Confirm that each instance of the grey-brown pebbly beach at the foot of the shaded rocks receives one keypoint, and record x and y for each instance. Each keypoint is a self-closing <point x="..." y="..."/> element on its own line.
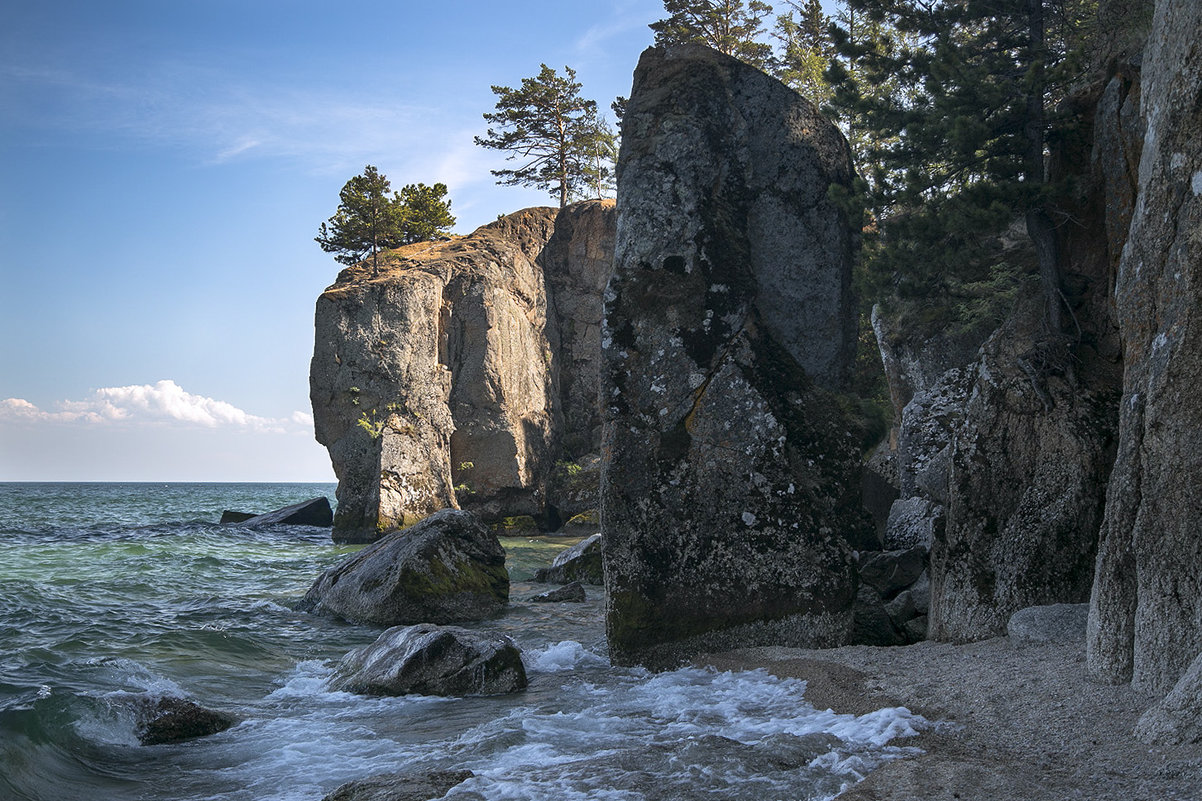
<point x="1032" y="727"/>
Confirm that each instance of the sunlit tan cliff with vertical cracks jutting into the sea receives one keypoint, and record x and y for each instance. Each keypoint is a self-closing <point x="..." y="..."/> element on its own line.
<point x="448" y="381"/>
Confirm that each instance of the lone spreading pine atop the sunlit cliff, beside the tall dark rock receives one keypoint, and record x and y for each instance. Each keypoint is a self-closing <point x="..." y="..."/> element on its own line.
<point x="562" y="143"/>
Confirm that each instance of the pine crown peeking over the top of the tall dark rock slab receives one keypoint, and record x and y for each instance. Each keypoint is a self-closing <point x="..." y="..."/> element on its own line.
<point x="730" y="27"/>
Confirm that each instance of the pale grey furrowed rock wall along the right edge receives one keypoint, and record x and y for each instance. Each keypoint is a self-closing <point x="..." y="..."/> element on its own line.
<point x="1146" y="618"/>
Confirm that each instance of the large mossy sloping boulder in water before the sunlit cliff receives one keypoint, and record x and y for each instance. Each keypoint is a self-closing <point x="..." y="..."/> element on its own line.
<point x="447" y="569"/>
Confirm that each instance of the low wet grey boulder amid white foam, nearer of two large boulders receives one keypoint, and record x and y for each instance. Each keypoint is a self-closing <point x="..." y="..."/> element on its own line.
<point x="433" y="661"/>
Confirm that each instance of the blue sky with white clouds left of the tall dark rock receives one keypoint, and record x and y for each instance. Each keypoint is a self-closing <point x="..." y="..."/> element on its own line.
<point x="164" y="168"/>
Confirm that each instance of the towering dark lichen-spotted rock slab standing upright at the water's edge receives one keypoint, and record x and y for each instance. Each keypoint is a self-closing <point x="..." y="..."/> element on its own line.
<point x="730" y="474"/>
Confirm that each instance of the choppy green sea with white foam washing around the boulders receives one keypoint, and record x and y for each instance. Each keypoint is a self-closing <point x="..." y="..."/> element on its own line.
<point x="118" y="591"/>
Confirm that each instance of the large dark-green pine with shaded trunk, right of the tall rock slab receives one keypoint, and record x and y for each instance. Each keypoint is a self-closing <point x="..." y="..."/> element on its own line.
<point x="961" y="149"/>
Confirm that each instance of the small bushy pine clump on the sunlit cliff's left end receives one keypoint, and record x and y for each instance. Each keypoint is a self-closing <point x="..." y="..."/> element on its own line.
<point x="371" y="219"/>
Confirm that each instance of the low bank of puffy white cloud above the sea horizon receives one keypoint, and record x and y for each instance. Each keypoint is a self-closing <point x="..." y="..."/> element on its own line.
<point x="164" y="402"/>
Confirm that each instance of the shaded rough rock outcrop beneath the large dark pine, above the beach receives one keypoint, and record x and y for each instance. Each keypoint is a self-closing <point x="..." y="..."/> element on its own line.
<point x="1030" y="464"/>
